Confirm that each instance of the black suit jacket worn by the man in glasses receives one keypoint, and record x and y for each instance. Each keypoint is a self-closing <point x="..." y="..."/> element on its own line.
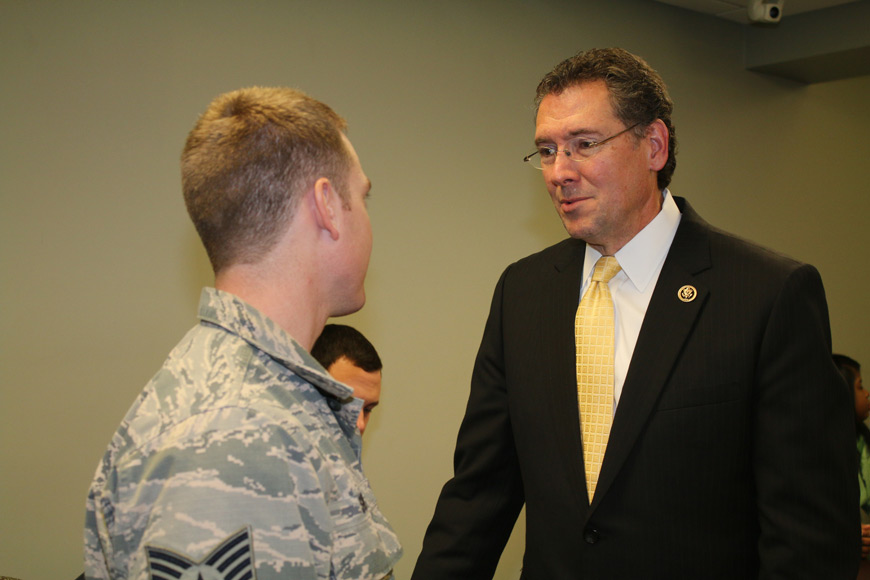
<point x="732" y="449"/>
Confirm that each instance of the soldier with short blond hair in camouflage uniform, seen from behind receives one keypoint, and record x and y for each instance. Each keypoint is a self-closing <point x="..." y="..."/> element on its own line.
<point x="241" y="458"/>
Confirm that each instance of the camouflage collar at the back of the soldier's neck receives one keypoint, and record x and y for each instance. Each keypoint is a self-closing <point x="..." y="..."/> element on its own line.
<point x="240" y="318"/>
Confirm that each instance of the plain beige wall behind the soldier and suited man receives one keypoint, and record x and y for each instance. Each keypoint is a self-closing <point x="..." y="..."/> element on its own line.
<point x="101" y="270"/>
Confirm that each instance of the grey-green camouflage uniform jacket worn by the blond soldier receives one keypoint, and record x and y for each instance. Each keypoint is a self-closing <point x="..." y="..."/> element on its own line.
<point x="241" y="460"/>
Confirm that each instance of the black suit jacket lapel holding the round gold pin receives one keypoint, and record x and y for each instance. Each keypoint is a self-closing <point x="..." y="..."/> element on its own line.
<point x="665" y="329"/>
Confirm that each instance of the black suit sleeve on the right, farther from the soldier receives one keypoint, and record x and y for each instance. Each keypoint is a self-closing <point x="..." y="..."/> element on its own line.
<point x="804" y="442"/>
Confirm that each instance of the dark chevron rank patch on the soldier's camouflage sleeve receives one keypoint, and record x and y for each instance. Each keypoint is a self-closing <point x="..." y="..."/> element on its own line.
<point x="232" y="559"/>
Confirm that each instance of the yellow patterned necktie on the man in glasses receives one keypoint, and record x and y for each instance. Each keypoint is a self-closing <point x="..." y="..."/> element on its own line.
<point x="593" y="333"/>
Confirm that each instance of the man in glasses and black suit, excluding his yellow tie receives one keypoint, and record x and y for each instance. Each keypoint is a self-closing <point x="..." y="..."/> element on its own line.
<point x="730" y="453"/>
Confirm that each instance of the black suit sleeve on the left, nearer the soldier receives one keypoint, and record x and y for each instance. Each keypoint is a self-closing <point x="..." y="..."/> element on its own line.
<point x="478" y="507"/>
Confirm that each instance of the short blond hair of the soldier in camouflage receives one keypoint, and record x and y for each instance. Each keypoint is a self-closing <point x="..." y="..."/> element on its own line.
<point x="247" y="162"/>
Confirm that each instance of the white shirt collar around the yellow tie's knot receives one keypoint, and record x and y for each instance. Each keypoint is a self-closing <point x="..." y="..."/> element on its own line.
<point x="641" y="257"/>
